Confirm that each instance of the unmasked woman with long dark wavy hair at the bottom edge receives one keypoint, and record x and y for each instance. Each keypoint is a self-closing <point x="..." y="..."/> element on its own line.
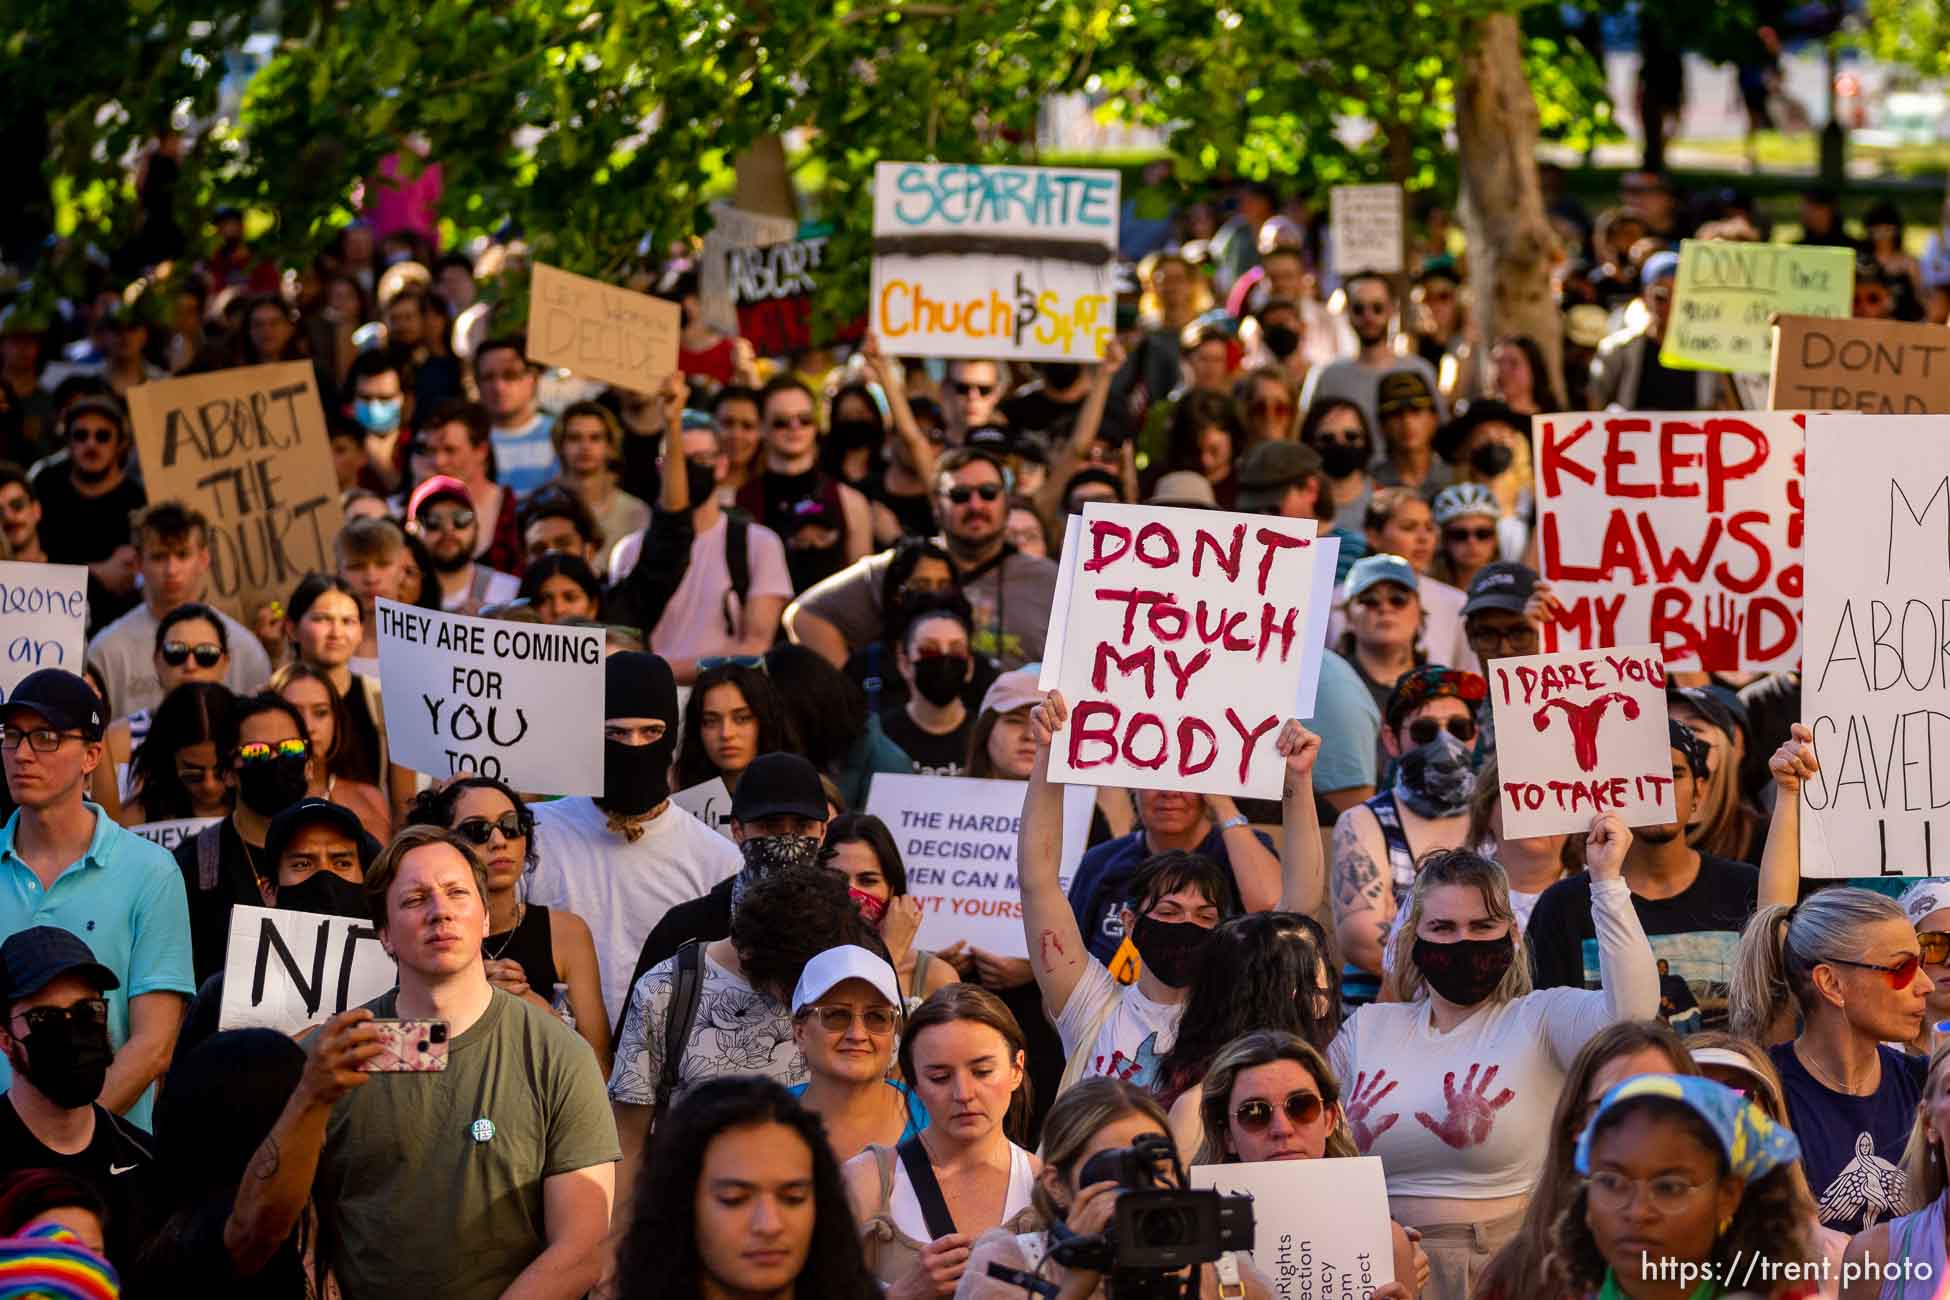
<point x="740" y="1198"/>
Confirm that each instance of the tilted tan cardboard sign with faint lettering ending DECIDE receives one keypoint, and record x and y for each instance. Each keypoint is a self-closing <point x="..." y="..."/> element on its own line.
<point x="602" y="332"/>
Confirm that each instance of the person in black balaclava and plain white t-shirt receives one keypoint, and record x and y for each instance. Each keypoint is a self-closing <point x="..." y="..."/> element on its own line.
<point x="629" y="857"/>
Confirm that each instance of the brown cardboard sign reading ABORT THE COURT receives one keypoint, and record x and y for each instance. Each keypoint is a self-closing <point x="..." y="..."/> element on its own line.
<point x="249" y="449"/>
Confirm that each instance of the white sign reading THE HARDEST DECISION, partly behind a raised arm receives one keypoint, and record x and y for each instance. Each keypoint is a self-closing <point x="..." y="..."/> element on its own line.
<point x="958" y="843"/>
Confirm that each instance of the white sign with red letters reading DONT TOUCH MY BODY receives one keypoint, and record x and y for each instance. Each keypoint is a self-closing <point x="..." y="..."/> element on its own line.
<point x="1185" y="648"/>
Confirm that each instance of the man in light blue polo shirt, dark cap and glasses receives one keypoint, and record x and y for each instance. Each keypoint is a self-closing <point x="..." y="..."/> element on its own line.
<point x="69" y="864"/>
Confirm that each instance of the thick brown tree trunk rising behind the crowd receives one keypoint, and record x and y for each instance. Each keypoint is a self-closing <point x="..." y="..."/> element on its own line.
<point x="1510" y="239"/>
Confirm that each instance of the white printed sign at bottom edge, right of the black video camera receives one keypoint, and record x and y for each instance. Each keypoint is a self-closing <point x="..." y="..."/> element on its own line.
<point x="1321" y="1227"/>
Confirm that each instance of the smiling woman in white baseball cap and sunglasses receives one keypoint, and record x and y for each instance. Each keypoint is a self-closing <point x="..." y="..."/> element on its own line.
<point x="847" y="1018"/>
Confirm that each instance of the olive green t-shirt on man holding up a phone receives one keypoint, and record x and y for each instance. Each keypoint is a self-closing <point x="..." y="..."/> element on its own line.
<point x="432" y="1184"/>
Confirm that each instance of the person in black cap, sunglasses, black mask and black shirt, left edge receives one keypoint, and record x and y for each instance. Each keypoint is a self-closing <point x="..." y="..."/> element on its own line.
<point x="58" y="1044"/>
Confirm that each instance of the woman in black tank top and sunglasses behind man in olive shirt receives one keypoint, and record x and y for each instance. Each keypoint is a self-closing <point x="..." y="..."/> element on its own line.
<point x="543" y="956"/>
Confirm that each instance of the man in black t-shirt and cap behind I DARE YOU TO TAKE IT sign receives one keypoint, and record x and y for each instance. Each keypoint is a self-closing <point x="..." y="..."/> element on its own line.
<point x="1690" y="903"/>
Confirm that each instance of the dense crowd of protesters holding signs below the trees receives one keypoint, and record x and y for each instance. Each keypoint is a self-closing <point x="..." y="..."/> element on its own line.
<point x="839" y="820"/>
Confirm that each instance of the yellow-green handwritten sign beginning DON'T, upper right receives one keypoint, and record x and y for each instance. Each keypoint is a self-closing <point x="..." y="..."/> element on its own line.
<point x="1727" y="297"/>
